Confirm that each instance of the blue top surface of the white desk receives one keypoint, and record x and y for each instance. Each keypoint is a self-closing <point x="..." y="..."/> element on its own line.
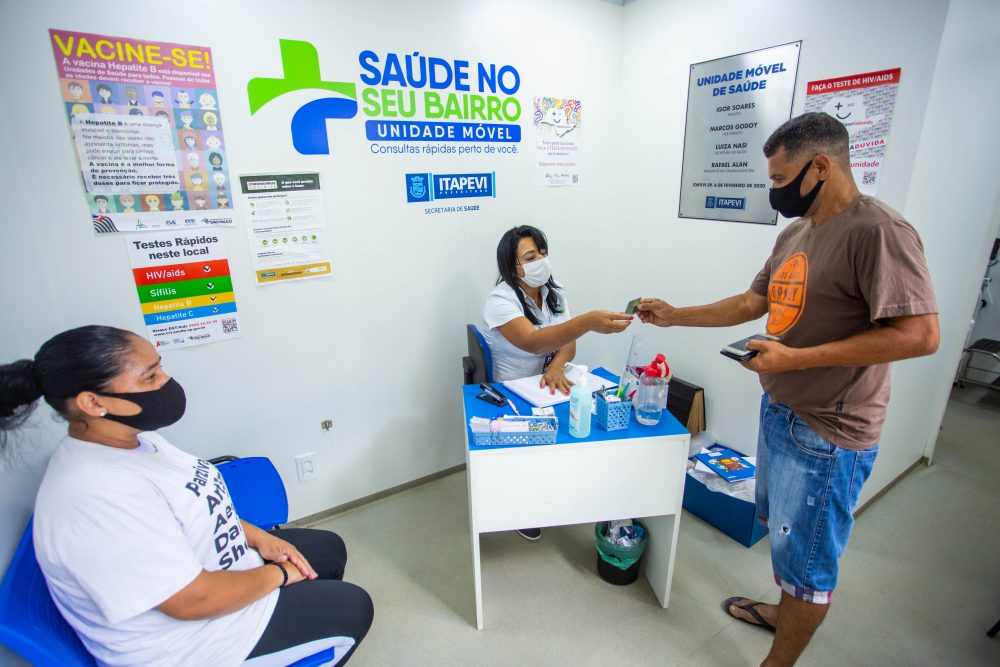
<point x="476" y="408"/>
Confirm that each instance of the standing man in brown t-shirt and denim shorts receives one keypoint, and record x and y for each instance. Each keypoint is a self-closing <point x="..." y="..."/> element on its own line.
<point x="846" y="291"/>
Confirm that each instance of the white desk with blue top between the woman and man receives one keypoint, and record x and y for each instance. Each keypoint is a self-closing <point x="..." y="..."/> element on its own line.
<point x="568" y="483"/>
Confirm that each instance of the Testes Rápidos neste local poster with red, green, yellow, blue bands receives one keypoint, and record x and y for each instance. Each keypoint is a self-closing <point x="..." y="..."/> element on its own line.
<point x="184" y="286"/>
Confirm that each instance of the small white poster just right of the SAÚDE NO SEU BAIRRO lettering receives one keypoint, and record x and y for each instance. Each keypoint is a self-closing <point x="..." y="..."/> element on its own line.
<point x="557" y="141"/>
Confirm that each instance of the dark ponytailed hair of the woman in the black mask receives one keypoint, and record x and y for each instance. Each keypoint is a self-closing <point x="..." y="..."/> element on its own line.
<point x="82" y="359"/>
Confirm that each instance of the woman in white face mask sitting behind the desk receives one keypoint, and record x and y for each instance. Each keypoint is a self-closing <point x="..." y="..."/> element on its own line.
<point x="527" y="318"/>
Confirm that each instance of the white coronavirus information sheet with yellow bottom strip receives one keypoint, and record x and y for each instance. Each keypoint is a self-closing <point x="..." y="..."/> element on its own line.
<point x="287" y="226"/>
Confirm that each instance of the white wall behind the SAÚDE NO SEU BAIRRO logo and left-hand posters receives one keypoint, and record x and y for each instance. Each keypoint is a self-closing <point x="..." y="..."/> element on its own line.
<point x="391" y="320"/>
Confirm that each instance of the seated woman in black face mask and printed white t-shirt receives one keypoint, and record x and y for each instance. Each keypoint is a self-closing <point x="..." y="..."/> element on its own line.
<point x="139" y="543"/>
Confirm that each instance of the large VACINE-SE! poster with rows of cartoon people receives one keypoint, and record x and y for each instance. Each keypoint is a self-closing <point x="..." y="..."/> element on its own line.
<point x="146" y="125"/>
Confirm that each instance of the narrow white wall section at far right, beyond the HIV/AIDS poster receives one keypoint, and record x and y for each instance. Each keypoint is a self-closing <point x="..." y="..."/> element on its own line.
<point x="955" y="201"/>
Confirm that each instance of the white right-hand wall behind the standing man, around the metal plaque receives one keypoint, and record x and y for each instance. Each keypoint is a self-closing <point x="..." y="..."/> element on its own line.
<point x="706" y="260"/>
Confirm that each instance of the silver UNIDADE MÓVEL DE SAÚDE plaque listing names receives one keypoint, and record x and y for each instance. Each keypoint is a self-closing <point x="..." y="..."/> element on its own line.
<point x="734" y="104"/>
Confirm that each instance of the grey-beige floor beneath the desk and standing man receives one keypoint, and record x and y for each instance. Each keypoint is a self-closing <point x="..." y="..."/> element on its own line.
<point x="920" y="582"/>
